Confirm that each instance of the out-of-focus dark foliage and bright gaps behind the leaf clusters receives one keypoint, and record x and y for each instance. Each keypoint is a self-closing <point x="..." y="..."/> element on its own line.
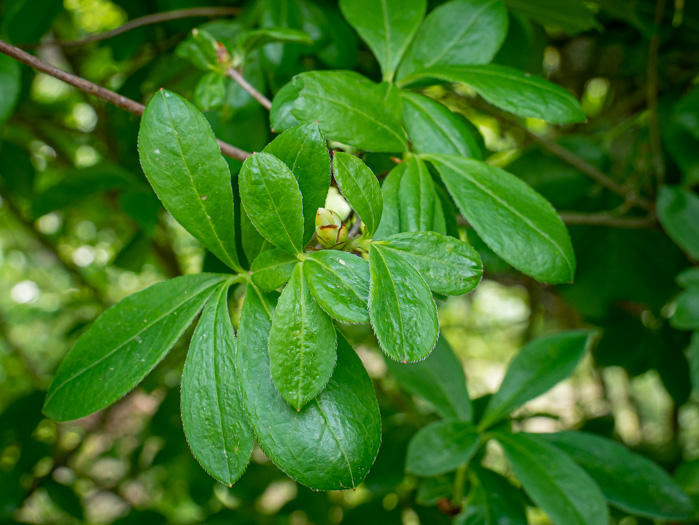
<point x="81" y="229"/>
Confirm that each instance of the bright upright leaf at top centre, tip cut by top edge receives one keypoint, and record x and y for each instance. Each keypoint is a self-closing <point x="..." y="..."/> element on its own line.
<point x="387" y="27"/>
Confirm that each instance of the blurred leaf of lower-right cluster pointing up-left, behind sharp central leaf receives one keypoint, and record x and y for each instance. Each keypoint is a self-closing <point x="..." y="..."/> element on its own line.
<point x="439" y="379"/>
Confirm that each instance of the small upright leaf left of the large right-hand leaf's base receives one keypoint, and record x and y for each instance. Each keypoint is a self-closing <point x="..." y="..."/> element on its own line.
<point x="417" y="198"/>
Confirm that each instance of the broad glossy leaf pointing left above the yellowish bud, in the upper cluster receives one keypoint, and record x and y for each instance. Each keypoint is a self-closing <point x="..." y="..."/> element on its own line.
<point x="349" y="109"/>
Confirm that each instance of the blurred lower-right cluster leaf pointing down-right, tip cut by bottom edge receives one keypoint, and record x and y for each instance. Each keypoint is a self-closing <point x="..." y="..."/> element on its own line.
<point x="553" y="481"/>
